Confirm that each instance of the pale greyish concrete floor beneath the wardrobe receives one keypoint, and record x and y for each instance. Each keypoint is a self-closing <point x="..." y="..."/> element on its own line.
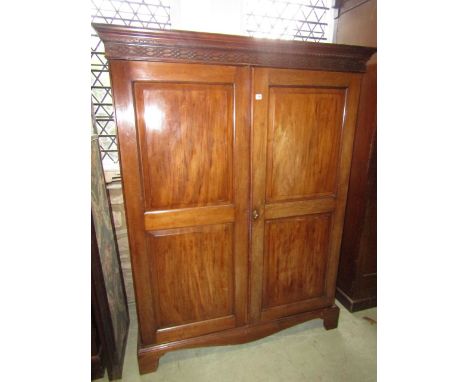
<point x="306" y="352"/>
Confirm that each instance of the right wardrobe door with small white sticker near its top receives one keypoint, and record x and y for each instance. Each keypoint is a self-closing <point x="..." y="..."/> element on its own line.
<point x="303" y="129"/>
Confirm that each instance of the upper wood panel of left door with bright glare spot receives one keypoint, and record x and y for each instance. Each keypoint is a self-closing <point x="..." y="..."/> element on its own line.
<point x="175" y="143"/>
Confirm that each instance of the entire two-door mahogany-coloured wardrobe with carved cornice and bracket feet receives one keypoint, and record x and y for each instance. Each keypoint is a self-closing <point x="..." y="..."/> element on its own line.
<point x="235" y="156"/>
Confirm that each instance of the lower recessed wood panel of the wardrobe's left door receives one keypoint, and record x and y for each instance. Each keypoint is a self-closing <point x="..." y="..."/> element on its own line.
<point x="193" y="274"/>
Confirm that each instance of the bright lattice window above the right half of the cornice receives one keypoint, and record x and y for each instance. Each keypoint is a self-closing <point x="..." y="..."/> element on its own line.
<point x="304" y="20"/>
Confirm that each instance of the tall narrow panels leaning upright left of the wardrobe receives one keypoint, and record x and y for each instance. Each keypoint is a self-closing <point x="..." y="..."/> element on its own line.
<point x="109" y="311"/>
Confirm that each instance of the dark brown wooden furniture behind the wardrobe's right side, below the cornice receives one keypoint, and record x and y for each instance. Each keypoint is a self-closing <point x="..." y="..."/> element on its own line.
<point x="357" y="275"/>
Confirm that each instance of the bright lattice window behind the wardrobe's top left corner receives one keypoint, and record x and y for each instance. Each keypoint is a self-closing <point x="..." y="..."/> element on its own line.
<point x="153" y="14"/>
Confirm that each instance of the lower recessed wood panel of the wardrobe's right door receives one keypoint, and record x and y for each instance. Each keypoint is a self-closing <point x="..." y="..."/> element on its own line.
<point x="296" y="250"/>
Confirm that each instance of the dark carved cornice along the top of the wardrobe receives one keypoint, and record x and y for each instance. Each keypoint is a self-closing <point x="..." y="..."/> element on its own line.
<point x="129" y="43"/>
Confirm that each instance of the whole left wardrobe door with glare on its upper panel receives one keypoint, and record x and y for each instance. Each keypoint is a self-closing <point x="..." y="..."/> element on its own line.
<point x="184" y="152"/>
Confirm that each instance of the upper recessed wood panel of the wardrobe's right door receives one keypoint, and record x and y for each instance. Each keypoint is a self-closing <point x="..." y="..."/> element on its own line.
<point x="308" y="121"/>
